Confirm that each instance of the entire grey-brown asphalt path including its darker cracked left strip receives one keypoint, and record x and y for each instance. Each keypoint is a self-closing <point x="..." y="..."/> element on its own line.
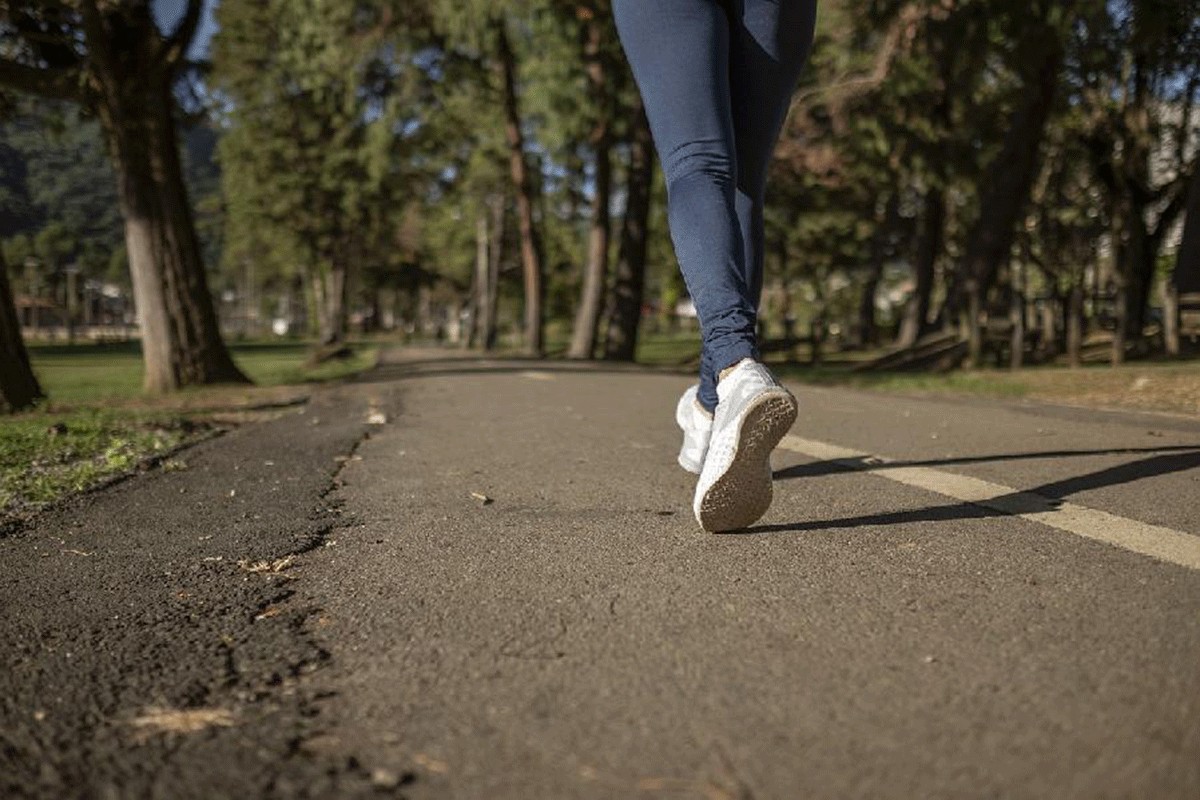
<point x="950" y="599"/>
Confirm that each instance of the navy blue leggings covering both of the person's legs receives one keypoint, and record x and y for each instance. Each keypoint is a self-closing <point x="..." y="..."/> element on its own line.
<point x="717" y="79"/>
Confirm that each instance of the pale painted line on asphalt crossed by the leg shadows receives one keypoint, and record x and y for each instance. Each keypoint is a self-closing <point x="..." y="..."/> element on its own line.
<point x="1163" y="544"/>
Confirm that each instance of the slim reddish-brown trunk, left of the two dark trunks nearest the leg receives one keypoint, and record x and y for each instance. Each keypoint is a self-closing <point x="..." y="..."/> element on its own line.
<point x="531" y="246"/>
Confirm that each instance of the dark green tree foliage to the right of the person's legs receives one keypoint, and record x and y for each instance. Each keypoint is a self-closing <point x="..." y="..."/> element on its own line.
<point x="914" y="99"/>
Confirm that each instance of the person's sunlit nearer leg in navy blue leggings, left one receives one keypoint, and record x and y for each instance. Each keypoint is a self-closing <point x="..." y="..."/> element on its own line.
<point x="680" y="53"/>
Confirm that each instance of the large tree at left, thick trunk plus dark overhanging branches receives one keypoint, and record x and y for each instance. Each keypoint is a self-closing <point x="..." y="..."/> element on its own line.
<point x="112" y="61"/>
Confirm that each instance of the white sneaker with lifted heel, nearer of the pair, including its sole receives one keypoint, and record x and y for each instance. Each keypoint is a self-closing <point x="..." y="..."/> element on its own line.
<point x="754" y="412"/>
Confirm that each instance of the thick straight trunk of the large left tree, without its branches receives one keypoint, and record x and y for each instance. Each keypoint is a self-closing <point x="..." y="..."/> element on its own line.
<point x="181" y="339"/>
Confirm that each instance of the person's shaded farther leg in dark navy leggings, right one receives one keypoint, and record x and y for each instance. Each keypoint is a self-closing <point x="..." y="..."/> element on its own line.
<point x="769" y="46"/>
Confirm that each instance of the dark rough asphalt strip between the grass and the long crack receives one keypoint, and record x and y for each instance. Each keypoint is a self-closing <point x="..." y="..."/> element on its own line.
<point x="164" y="623"/>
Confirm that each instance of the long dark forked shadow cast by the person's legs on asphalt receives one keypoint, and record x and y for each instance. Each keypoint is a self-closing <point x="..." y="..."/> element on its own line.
<point x="1040" y="500"/>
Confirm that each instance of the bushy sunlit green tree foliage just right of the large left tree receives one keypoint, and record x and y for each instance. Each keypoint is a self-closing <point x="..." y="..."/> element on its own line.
<point x="322" y="147"/>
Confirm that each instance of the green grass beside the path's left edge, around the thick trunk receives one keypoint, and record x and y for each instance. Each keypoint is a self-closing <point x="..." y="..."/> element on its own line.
<point x="98" y="424"/>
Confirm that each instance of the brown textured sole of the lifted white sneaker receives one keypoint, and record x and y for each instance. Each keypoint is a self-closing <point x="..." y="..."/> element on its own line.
<point x="742" y="496"/>
